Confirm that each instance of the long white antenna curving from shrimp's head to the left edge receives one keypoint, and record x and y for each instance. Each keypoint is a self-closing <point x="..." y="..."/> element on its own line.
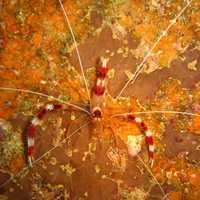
<point x="44" y="95"/>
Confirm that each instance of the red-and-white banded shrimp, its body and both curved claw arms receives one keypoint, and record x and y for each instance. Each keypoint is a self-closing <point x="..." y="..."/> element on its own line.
<point x="96" y="114"/>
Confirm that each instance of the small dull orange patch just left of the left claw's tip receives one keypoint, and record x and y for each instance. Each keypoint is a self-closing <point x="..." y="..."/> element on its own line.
<point x="17" y="164"/>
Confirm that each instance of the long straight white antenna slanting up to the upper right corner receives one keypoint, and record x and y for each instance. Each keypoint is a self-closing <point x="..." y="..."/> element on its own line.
<point x="142" y="66"/>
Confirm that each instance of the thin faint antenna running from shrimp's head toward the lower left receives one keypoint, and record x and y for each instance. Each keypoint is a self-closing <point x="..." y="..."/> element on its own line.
<point x="43" y="155"/>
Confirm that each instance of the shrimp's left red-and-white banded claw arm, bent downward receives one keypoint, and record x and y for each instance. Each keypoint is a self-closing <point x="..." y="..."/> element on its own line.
<point x="31" y="130"/>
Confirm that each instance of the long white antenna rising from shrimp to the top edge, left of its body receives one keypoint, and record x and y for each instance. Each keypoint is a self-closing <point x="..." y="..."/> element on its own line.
<point x="76" y="47"/>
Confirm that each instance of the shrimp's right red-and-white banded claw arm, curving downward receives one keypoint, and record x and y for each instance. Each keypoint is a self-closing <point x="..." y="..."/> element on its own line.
<point x="148" y="135"/>
